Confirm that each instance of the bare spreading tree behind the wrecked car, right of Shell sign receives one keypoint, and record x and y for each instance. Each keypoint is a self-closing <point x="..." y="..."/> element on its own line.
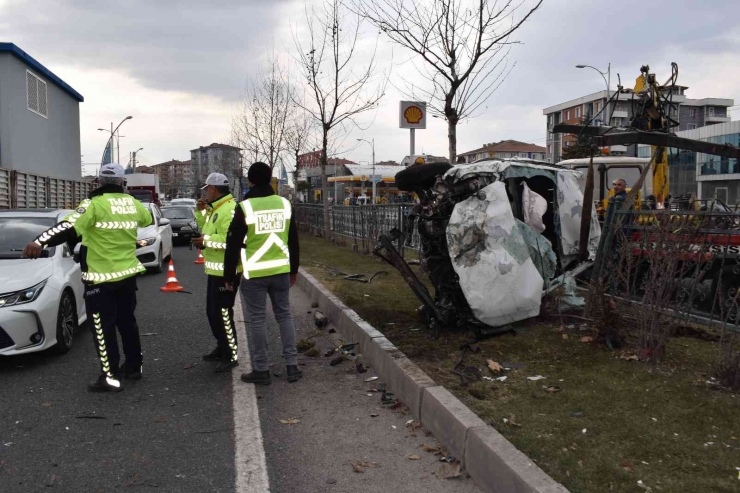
<point x="464" y="44"/>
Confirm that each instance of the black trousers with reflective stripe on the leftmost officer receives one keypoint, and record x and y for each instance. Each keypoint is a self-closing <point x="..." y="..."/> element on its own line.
<point x="111" y="305"/>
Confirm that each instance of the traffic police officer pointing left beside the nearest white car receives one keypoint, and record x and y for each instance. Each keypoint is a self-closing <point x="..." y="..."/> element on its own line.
<point x="108" y="223"/>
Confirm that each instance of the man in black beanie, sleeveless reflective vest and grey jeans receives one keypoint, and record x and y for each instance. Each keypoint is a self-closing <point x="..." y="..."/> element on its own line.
<point x="270" y="261"/>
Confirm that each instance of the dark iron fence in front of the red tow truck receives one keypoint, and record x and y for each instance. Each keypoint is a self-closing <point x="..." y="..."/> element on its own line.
<point x="673" y="264"/>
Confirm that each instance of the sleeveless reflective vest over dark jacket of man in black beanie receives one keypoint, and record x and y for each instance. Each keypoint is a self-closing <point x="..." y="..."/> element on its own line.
<point x="266" y="250"/>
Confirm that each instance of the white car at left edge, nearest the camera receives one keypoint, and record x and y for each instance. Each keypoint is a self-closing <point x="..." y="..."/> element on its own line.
<point x="41" y="302"/>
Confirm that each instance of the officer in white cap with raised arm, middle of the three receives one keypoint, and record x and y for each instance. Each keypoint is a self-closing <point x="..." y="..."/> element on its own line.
<point x="214" y="217"/>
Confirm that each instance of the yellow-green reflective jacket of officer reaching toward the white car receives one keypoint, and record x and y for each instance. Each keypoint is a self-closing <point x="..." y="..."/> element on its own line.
<point x="108" y="224"/>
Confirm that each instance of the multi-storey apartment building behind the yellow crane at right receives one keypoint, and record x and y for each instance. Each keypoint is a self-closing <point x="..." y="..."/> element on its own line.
<point x="689" y="113"/>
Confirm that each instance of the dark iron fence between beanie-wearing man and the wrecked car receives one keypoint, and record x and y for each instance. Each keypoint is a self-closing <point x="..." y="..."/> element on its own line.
<point x="361" y="225"/>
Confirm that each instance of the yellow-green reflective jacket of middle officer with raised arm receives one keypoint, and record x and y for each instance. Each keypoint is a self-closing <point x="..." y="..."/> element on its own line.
<point x="214" y="224"/>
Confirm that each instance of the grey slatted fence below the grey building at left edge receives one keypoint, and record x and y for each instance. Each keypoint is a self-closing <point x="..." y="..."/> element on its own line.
<point x="19" y="190"/>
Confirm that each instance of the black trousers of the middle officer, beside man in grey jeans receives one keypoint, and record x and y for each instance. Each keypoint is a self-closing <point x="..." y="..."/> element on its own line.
<point x="220" y="312"/>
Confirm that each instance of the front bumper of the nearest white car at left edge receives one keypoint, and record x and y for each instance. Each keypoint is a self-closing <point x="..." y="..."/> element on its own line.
<point x="29" y="327"/>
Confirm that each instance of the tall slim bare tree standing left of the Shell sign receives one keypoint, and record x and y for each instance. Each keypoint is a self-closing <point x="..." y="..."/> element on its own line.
<point x="338" y="92"/>
